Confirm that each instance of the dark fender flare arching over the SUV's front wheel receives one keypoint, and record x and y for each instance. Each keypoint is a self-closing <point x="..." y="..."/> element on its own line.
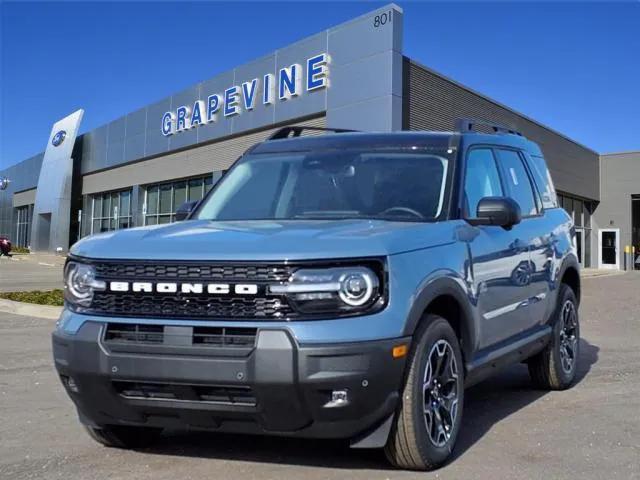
<point x="453" y="287"/>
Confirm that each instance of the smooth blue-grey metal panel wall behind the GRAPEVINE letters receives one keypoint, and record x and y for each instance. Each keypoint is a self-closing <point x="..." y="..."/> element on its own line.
<point x="364" y="93"/>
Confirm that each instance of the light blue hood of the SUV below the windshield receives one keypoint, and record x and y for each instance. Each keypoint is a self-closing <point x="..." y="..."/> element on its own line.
<point x="264" y="240"/>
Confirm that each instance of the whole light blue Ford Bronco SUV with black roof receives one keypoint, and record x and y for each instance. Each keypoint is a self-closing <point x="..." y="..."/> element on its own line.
<point x="344" y="286"/>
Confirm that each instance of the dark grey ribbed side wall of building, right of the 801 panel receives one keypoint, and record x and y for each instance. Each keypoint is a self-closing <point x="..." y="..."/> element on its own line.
<point x="433" y="102"/>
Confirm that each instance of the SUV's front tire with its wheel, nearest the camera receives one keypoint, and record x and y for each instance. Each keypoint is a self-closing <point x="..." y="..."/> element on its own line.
<point x="410" y="444"/>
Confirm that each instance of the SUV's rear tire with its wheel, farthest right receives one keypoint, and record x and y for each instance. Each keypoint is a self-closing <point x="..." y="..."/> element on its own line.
<point x="550" y="369"/>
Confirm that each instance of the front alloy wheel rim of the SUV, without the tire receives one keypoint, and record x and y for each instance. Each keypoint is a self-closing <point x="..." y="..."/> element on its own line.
<point x="440" y="393"/>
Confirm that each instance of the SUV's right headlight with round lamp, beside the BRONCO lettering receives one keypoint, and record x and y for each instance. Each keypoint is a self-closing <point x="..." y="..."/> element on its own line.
<point x="339" y="290"/>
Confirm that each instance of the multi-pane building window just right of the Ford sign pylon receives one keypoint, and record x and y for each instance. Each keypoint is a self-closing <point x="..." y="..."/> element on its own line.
<point x="111" y="211"/>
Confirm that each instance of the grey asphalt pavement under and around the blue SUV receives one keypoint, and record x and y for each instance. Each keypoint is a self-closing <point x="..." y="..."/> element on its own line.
<point x="509" y="430"/>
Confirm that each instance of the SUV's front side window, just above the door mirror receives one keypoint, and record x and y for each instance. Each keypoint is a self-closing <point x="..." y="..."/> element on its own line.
<point x="481" y="179"/>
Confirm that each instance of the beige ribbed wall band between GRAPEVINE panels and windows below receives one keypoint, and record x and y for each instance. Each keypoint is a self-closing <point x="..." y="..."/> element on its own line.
<point x="191" y="162"/>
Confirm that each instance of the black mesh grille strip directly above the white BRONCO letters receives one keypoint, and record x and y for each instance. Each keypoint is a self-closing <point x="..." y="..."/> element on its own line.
<point x="200" y="271"/>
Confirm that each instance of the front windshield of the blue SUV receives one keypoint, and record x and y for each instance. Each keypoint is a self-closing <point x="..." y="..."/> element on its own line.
<point x="405" y="186"/>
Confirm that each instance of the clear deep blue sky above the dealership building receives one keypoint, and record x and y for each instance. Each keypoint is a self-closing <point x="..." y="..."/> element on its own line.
<point x="572" y="66"/>
